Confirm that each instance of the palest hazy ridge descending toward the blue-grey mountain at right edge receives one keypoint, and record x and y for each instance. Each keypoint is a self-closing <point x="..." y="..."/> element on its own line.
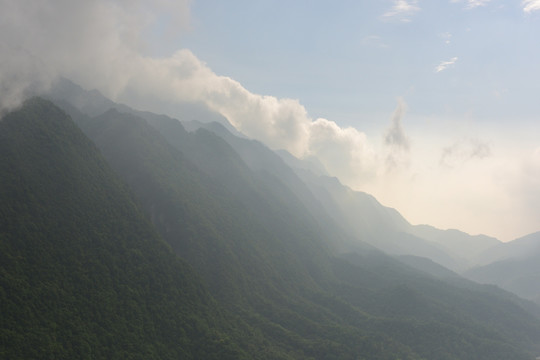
<point x="388" y="230"/>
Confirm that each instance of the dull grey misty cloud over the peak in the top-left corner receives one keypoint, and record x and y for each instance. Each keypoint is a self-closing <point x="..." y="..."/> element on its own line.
<point x="94" y="42"/>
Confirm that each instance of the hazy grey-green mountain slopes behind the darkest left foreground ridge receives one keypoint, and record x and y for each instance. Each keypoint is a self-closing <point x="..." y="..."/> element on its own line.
<point x="268" y="259"/>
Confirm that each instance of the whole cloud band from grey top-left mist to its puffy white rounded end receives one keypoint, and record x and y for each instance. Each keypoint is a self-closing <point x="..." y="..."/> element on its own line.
<point x="98" y="44"/>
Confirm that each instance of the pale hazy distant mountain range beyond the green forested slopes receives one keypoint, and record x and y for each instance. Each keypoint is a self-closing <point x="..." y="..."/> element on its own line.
<point x="512" y="266"/>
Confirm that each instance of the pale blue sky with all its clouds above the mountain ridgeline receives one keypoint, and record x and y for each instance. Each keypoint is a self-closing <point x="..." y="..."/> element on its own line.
<point x="431" y="106"/>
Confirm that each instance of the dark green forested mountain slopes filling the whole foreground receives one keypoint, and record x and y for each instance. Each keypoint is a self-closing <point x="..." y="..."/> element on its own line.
<point x="252" y="234"/>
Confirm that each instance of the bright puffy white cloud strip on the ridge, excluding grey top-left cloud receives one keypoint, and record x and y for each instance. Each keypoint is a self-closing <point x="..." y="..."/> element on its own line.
<point x="280" y="123"/>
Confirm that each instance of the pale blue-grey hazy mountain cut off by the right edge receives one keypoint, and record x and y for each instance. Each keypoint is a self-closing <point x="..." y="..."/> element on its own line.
<point x="516" y="267"/>
